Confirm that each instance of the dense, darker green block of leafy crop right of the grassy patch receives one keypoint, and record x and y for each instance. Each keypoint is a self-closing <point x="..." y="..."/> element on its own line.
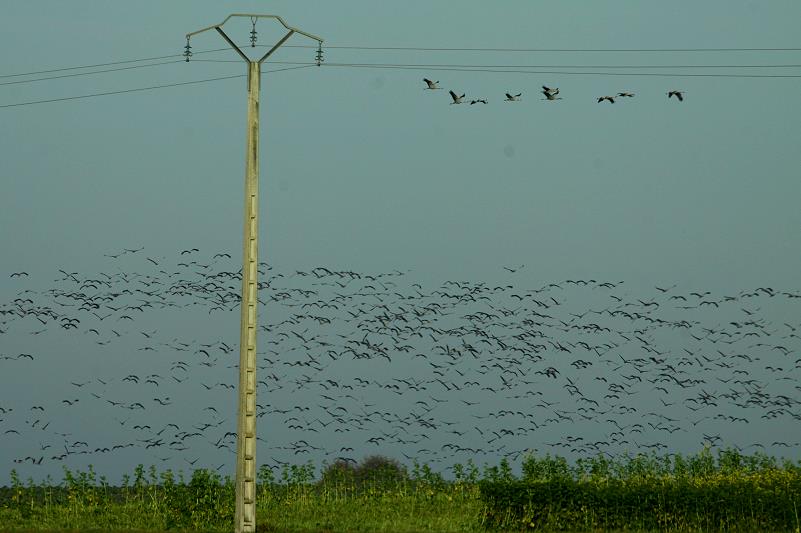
<point x="732" y="493"/>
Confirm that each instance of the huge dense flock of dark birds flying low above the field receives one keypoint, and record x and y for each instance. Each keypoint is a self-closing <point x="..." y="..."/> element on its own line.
<point x="354" y="363"/>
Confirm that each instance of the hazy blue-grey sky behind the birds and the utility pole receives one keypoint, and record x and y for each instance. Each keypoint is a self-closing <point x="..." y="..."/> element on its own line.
<point x="363" y="170"/>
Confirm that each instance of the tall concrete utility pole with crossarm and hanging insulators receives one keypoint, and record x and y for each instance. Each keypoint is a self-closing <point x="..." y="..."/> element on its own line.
<point x="245" y="519"/>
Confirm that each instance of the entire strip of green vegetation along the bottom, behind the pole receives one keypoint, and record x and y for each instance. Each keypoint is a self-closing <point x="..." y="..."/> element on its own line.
<point x="643" y="493"/>
